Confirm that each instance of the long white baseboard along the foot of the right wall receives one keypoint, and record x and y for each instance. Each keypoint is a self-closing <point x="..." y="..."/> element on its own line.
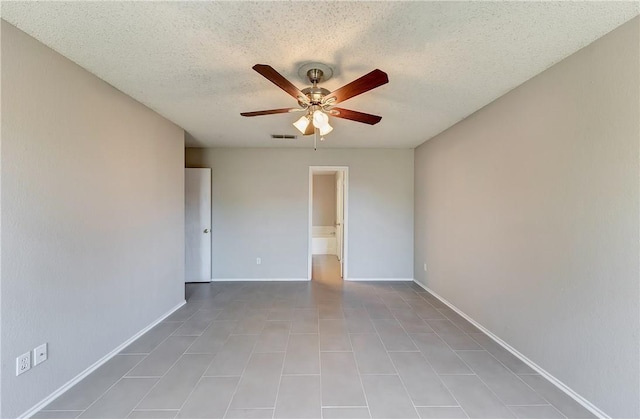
<point x="562" y="386"/>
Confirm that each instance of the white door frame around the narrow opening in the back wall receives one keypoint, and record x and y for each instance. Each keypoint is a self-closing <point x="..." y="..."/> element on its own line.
<point x="345" y="233"/>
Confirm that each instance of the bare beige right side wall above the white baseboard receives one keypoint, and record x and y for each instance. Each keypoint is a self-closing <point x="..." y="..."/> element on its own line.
<point x="527" y="218"/>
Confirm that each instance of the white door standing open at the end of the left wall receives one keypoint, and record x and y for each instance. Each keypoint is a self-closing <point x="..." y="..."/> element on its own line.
<point x="197" y="188"/>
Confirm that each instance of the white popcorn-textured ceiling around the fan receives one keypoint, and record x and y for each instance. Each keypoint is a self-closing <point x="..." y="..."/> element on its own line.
<point x="191" y="61"/>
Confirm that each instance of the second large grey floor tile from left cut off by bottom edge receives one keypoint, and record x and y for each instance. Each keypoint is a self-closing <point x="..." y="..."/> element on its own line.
<point x="210" y="398"/>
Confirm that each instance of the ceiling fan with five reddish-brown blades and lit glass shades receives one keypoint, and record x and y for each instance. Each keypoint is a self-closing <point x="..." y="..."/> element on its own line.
<point x="316" y="102"/>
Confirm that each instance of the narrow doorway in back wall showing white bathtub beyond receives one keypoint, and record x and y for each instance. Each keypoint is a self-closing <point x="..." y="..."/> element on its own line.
<point x="328" y="226"/>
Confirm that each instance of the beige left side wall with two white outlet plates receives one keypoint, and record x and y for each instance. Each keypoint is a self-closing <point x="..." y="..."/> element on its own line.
<point x="92" y="216"/>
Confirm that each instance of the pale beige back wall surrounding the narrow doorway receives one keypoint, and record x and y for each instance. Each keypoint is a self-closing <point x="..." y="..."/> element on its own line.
<point x="261" y="209"/>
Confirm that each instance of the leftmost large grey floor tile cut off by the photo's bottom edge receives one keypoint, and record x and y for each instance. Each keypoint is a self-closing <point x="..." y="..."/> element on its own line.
<point x="120" y="400"/>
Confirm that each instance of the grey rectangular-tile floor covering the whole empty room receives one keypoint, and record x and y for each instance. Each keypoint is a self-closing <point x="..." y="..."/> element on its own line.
<point x="324" y="349"/>
